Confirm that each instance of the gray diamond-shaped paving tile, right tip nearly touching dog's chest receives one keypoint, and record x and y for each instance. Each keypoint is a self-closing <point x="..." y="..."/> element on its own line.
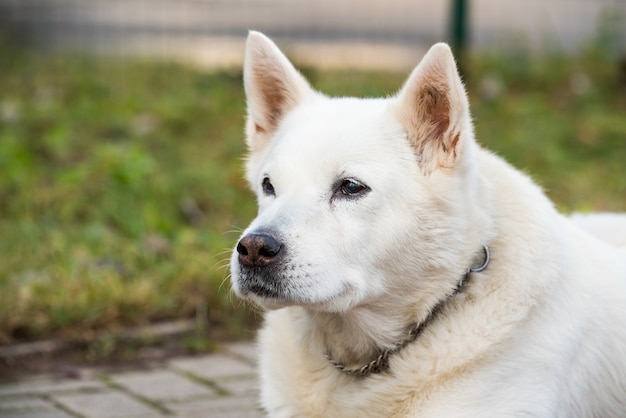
<point x="213" y="366"/>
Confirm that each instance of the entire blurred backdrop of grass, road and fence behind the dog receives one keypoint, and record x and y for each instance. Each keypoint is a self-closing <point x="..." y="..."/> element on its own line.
<point x="121" y="140"/>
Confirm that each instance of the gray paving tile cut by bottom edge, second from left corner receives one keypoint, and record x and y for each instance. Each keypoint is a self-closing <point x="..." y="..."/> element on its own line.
<point x="105" y="405"/>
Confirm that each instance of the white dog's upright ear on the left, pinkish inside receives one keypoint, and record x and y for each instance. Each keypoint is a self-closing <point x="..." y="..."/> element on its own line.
<point x="273" y="88"/>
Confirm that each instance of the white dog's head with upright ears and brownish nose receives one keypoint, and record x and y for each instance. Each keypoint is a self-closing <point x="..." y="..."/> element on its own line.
<point x="357" y="197"/>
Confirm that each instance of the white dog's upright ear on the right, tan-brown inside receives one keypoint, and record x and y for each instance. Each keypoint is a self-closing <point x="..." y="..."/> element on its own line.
<point x="434" y="109"/>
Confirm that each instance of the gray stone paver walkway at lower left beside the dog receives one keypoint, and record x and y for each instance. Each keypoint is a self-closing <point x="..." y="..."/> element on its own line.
<point x="213" y="385"/>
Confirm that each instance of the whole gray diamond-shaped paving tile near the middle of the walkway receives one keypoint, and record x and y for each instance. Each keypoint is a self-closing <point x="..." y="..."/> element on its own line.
<point x="162" y="385"/>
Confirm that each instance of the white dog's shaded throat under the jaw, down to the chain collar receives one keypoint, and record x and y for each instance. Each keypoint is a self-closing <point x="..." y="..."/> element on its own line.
<point x="363" y="349"/>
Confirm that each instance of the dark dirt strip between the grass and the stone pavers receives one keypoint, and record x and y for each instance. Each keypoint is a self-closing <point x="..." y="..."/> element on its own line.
<point x="141" y="348"/>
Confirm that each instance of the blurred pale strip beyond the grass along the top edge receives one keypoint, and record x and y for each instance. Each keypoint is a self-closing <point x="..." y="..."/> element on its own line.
<point x="350" y="33"/>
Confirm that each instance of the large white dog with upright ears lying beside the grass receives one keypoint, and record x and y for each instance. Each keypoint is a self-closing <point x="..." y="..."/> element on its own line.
<point x="370" y="211"/>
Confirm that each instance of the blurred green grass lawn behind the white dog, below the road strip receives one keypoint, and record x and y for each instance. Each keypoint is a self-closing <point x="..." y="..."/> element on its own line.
<point x="121" y="190"/>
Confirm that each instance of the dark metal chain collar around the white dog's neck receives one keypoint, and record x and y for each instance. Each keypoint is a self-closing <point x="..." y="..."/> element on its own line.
<point x="381" y="363"/>
